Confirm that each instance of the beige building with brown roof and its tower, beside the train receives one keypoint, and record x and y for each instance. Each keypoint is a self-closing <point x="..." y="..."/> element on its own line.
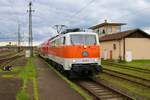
<point x="116" y="44"/>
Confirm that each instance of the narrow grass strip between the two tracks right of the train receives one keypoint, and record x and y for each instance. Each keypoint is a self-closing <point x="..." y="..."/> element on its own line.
<point x="129" y="72"/>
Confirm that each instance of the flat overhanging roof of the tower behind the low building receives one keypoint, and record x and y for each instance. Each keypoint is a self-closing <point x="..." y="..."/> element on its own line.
<point x="106" y="23"/>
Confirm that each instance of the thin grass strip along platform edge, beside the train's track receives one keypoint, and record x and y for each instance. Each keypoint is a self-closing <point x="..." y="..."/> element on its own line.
<point x="72" y="85"/>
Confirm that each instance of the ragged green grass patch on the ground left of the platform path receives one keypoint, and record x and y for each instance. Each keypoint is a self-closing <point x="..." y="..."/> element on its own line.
<point x="28" y="73"/>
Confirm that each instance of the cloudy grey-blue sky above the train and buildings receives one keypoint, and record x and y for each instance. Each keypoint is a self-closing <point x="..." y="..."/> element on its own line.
<point x="136" y="13"/>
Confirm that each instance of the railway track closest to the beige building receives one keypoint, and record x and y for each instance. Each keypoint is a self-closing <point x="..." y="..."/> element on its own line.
<point x="127" y="67"/>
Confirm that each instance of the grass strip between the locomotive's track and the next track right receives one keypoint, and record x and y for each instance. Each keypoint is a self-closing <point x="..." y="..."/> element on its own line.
<point x="129" y="86"/>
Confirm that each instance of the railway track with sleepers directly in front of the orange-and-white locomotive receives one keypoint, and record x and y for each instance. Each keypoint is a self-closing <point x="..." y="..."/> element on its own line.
<point x="101" y="92"/>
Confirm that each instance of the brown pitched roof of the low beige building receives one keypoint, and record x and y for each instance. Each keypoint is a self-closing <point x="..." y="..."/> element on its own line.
<point x="120" y="35"/>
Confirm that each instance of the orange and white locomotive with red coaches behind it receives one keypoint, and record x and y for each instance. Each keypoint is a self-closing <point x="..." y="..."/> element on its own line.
<point x="74" y="53"/>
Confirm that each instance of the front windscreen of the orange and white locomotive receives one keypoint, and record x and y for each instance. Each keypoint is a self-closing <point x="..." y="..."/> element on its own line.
<point x="83" y="39"/>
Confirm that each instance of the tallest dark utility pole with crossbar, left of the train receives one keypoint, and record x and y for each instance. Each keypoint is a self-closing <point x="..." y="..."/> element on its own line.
<point x="30" y="28"/>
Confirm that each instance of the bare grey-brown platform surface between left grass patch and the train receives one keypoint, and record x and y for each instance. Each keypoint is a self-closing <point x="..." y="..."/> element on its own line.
<point x="51" y="86"/>
